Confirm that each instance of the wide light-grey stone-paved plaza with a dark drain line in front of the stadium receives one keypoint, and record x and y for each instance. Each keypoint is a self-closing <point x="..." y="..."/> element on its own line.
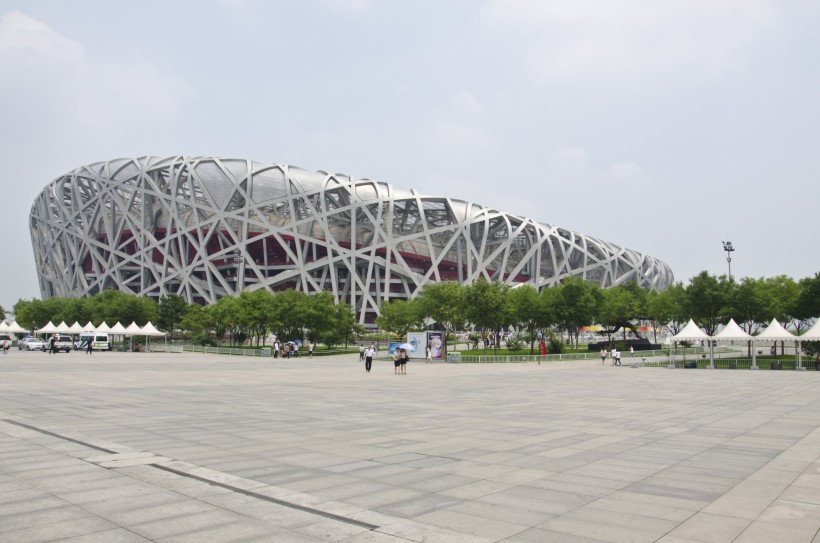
<point x="135" y="447"/>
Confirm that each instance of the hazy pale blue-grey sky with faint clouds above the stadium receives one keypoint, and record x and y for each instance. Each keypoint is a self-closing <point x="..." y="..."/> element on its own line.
<point x="665" y="127"/>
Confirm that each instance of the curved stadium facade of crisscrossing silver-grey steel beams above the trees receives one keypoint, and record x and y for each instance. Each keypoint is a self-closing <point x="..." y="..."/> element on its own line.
<point x="205" y="227"/>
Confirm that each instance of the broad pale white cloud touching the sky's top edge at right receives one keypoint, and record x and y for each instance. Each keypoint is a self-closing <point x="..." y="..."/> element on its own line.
<point x="633" y="39"/>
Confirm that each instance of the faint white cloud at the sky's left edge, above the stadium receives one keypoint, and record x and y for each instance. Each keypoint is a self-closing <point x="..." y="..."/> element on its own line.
<point x="54" y="79"/>
